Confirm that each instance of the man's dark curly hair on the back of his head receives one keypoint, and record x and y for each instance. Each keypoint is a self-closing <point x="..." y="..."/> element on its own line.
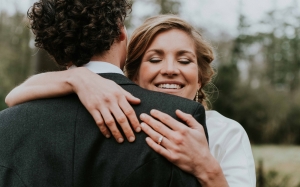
<point x="75" y="30"/>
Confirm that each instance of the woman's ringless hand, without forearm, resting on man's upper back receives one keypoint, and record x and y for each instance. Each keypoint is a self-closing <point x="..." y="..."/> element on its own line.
<point x="106" y="101"/>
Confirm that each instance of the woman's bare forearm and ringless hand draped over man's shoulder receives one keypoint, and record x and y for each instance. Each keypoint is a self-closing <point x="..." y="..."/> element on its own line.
<point x="90" y="88"/>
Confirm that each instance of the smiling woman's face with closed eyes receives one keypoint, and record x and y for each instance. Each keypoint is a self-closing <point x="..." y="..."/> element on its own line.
<point x="169" y="65"/>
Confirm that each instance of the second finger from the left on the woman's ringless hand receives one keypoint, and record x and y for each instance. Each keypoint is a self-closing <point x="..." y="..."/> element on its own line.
<point x="111" y="125"/>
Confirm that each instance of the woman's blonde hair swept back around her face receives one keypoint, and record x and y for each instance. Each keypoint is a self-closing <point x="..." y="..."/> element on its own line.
<point x="144" y="35"/>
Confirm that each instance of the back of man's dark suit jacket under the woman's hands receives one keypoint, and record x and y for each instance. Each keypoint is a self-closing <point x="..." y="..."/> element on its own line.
<point x="55" y="142"/>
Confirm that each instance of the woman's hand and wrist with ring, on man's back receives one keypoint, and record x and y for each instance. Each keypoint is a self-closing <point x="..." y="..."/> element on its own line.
<point x="186" y="147"/>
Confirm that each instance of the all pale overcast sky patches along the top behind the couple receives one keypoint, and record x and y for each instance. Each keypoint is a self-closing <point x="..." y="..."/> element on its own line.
<point x="215" y="15"/>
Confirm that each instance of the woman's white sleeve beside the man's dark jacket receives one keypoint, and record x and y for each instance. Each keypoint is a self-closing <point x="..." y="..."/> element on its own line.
<point x="230" y="145"/>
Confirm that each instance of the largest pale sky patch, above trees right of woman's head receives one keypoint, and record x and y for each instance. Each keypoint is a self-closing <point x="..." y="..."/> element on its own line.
<point x="224" y="13"/>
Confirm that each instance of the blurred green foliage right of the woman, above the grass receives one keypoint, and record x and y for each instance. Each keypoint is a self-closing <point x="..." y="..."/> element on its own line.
<point x="264" y="97"/>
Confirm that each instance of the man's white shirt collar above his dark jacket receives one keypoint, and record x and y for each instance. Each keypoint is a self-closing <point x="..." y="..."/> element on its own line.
<point x="100" y="67"/>
